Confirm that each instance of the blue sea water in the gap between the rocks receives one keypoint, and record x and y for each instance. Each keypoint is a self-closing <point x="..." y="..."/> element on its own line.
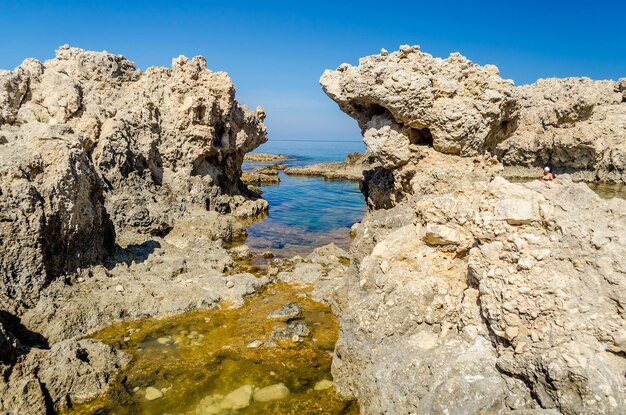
<point x="306" y="212"/>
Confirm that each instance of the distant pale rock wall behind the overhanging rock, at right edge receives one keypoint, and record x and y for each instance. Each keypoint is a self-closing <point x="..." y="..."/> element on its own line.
<point x="576" y="125"/>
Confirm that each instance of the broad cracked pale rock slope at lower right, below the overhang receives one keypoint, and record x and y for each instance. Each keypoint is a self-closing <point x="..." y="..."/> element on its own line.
<point x="477" y="301"/>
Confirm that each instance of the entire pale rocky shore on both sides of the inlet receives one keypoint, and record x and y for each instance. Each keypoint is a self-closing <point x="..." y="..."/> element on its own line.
<point x="121" y="195"/>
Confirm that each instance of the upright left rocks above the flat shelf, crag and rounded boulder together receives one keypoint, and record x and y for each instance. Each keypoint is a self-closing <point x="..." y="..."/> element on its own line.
<point x="91" y="145"/>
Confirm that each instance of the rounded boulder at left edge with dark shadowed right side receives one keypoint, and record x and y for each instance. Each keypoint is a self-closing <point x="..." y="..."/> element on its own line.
<point x="52" y="215"/>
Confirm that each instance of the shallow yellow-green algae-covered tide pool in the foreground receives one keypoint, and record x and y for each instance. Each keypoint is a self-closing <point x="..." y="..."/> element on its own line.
<point x="202" y="355"/>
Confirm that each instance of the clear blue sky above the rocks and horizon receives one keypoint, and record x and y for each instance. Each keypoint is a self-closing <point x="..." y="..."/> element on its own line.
<point x="276" y="51"/>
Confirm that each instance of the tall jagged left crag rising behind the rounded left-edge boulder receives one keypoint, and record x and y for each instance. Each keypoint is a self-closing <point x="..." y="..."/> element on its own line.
<point x="176" y="135"/>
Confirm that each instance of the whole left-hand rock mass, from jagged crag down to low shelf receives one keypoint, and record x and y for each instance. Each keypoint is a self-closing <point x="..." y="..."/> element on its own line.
<point x="118" y="192"/>
